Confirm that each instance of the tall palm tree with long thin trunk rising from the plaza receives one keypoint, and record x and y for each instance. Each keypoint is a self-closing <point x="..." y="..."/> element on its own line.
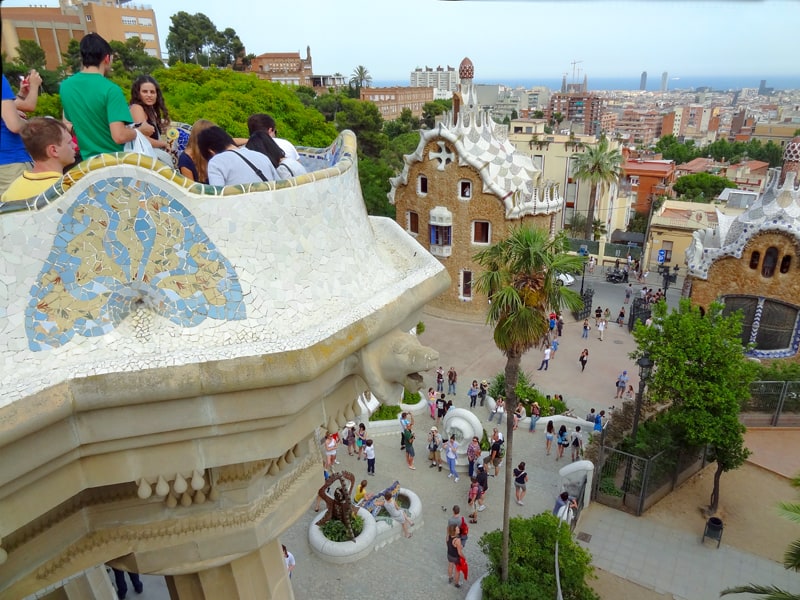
<point x="520" y="279"/>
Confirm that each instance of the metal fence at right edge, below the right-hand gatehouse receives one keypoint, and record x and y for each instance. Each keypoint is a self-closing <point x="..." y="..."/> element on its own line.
<point x="772" y="404"/>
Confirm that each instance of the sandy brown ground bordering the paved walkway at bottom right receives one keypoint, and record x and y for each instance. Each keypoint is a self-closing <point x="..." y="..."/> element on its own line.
<point x="748" y="509"/>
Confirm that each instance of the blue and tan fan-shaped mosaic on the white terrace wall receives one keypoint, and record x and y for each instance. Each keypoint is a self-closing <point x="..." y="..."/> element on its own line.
<point x="123" y="243"/>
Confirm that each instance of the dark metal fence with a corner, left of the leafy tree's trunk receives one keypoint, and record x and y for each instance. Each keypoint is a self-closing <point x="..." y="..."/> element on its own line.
<point x="633" y="483"/>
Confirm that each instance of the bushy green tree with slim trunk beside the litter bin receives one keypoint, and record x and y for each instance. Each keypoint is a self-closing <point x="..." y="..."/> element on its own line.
<point x="701" y="369"/>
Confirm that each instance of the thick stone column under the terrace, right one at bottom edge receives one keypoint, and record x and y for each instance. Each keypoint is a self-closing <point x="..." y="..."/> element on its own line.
<point x="260" y="575"/>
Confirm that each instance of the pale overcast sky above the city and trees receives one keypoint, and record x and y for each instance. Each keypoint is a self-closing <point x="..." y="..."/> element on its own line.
<point x="511" y="39"/>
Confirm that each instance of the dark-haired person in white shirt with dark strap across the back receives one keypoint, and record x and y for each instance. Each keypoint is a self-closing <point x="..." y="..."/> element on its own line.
<point x="230" y="165"/>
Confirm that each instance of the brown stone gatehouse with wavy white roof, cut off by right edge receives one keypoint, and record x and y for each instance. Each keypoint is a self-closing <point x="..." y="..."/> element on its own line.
<point x="752" y="263"/>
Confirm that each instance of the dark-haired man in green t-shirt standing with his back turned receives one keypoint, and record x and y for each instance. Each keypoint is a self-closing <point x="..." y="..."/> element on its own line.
<point x="95" y="106"/>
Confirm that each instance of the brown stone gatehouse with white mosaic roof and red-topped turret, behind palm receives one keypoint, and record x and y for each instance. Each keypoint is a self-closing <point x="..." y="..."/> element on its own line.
<point x="463" y="189"/>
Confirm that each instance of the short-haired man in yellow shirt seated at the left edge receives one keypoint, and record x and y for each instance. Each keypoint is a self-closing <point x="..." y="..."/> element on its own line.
<point x="49" y="143"/>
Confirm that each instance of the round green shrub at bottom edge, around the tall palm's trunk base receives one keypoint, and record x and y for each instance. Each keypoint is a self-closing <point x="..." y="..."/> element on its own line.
<point x="531" y="566"/>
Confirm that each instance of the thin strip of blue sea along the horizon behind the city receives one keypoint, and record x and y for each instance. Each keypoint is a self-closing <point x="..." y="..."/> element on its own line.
<point x="631" y="83"/>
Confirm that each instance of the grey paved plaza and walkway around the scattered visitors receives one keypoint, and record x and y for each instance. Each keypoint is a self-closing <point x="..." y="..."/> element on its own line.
<point x="637" y="549"/>
